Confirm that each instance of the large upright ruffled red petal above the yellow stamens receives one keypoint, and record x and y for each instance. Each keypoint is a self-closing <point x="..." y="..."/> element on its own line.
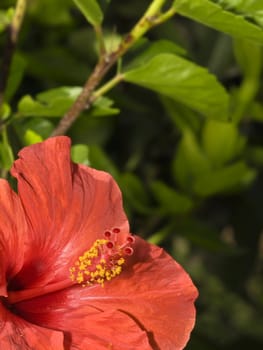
<point x="68" y="207"/>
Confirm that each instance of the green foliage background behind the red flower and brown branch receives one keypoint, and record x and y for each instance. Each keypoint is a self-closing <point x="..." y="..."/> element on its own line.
<point x="181" y="133"/>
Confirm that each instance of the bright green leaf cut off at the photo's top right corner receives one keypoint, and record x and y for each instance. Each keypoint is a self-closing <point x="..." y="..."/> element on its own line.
<point x="224" y="20"/>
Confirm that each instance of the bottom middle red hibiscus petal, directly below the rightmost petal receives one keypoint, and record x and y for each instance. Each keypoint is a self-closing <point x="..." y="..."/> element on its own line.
<point x="86" y="327"/>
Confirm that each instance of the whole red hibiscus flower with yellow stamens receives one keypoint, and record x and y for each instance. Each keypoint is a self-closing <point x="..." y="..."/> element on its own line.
<point x="72" y="276"/>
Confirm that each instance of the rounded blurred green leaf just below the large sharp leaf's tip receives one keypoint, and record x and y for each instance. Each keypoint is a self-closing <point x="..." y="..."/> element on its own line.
<point x="221" y="142"/>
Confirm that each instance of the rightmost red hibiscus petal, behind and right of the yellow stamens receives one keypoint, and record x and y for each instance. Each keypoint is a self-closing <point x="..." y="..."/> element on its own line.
<point x="156" y="292"/>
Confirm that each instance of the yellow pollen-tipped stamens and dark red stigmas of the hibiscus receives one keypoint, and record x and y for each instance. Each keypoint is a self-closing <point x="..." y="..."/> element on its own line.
<point x="104" y="260"/>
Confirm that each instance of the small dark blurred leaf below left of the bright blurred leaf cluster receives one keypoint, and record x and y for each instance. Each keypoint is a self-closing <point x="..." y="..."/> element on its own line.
<point x="170" y="201"/>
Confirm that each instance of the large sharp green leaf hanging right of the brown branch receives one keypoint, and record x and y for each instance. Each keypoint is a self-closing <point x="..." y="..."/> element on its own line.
<point x="178" y="78"/>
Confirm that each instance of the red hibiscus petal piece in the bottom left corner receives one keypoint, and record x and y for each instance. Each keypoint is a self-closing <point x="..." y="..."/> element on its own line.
<point x="15" y="333"/>
